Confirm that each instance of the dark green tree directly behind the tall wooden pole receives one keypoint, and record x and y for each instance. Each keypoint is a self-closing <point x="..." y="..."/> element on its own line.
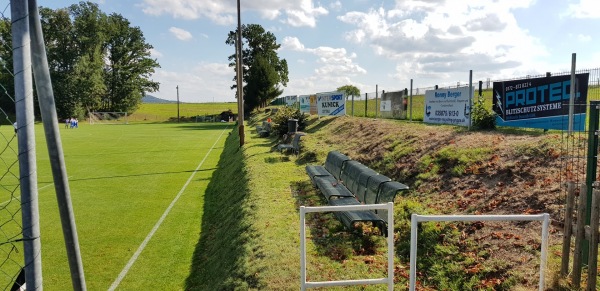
<point x="263" y="71"/>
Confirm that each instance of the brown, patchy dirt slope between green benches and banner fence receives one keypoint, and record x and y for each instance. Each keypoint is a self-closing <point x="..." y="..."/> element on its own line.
<point x="456" y="171"/>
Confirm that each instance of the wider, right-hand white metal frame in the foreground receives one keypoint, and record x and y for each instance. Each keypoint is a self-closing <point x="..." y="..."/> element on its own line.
<point x="416" y="218"/>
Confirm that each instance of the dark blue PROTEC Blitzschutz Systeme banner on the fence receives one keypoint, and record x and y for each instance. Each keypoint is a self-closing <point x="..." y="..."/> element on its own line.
<point x="541" y="102"/>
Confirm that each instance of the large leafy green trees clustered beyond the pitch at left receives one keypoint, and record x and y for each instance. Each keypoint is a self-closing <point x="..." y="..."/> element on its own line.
<point x="97" y="62"/>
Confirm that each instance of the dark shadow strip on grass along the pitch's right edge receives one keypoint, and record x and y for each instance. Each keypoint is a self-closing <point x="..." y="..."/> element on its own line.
<point x="222" y="255"/>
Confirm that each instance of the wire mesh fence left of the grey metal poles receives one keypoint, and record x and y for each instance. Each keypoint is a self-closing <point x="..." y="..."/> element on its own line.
<point x="11" y="230"/>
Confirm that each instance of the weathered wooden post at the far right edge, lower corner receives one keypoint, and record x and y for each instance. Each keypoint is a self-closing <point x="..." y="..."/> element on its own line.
<point x="593" y="255"/>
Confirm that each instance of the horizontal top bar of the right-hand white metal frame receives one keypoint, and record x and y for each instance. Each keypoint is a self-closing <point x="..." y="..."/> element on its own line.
<point x="489" y="217"/>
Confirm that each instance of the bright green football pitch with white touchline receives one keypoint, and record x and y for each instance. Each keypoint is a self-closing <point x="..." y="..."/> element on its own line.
<point x="137" y="192"/>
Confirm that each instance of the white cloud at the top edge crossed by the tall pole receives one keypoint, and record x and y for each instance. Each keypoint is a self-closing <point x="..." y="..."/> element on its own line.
<point x="295" y="13"/>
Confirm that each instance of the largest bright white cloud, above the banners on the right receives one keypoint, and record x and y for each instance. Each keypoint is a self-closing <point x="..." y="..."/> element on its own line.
<point x="435" y="39"/>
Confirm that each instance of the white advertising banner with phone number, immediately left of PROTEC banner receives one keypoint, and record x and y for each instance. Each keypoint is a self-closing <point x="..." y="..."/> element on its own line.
<point x="448" y="106"/>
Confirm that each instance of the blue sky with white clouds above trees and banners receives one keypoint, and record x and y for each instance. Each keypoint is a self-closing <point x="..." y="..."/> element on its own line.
<point x="365" y="43"/>
